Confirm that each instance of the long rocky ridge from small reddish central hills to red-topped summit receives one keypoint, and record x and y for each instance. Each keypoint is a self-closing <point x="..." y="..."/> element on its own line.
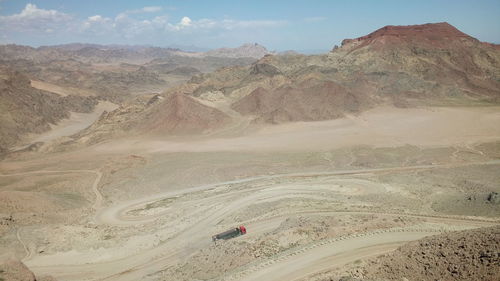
<point x="402" y="66"/>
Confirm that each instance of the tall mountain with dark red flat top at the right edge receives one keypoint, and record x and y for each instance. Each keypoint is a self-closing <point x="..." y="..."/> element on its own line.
<point x="446" y="63"/>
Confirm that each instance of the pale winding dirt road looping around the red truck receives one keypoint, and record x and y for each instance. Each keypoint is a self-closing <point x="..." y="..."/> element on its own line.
<point x="200" y="216"/>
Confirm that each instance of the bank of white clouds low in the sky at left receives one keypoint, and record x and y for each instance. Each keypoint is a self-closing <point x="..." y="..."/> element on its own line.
<point x="145" y="23"/>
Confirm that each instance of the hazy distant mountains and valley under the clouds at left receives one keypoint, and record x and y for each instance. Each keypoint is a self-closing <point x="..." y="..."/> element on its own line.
<point x="112" y="73"/>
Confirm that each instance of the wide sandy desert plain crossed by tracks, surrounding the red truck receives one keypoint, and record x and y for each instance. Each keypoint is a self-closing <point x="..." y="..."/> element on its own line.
<point x="313" y="197"/>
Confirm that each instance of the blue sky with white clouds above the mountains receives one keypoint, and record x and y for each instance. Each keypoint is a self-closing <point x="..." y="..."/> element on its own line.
<point x="303" y="25"/>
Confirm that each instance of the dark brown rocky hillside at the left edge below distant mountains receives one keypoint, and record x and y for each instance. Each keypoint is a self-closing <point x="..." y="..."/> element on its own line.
<point x="24" y="109"/>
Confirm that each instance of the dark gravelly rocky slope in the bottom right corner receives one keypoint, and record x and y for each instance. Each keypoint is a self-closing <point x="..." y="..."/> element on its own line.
<point x="465" y="255"/>
